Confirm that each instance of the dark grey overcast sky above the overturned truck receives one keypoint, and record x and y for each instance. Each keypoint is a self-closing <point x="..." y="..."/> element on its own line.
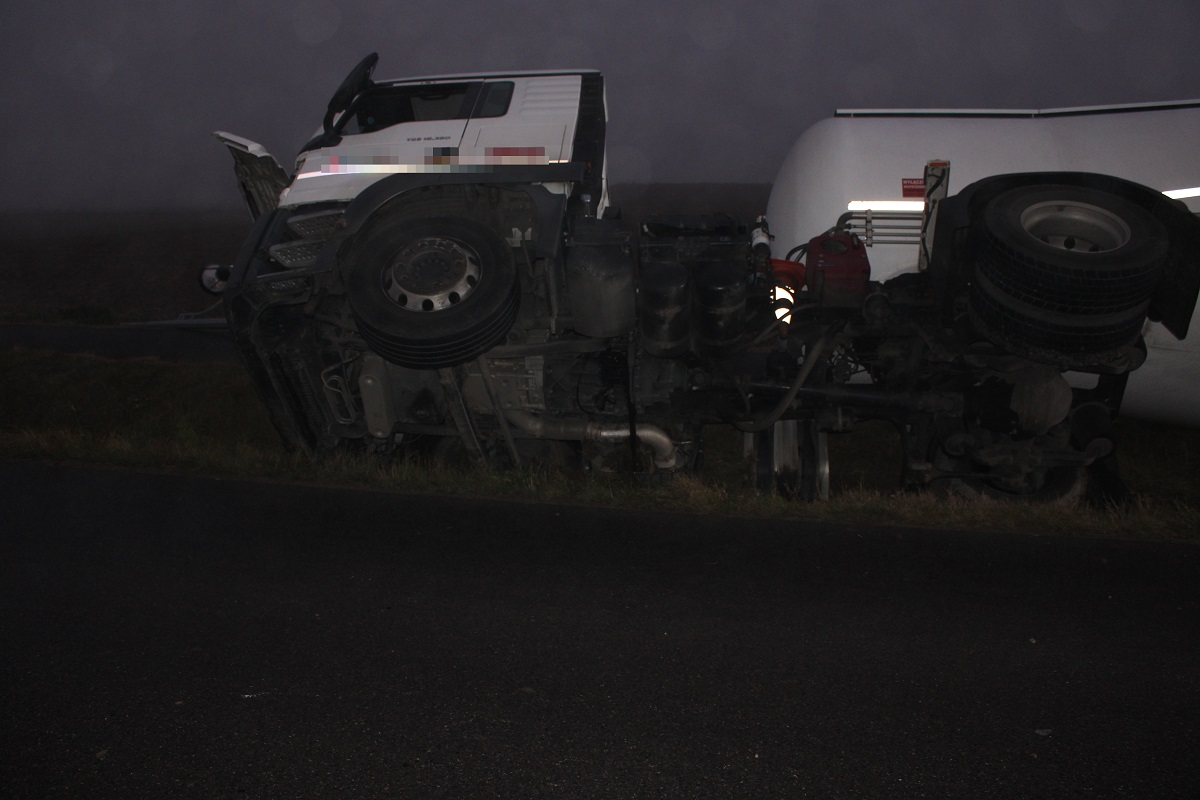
<point x="111" y="104"/>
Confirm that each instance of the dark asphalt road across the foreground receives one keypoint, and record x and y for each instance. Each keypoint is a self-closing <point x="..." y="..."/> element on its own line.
<point x="172" y="637"/>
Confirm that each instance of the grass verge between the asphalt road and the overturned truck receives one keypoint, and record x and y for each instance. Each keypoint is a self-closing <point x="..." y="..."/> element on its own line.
<point x="207" y="419"/>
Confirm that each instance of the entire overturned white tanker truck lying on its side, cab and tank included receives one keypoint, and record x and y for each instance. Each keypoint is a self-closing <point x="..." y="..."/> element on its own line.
<point x="442" y="273"/>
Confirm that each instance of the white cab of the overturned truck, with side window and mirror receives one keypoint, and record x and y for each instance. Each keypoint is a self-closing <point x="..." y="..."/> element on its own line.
<point x="437" y="125"/>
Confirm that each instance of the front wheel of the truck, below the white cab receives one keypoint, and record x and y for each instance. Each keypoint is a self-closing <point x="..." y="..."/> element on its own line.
<point x="431" y="293"/>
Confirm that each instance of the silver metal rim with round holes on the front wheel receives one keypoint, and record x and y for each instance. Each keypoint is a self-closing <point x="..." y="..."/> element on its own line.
<point x="431" y="275"/>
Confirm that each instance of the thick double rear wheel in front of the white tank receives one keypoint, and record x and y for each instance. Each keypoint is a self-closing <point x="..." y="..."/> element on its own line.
<point x="1065" y="274"/>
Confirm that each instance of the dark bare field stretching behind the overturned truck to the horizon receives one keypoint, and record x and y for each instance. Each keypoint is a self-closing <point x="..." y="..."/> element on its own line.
<point x="111" y="268"/>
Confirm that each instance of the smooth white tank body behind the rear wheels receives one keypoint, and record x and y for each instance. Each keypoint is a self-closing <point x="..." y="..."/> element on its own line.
<point x="873" y="160"/>
